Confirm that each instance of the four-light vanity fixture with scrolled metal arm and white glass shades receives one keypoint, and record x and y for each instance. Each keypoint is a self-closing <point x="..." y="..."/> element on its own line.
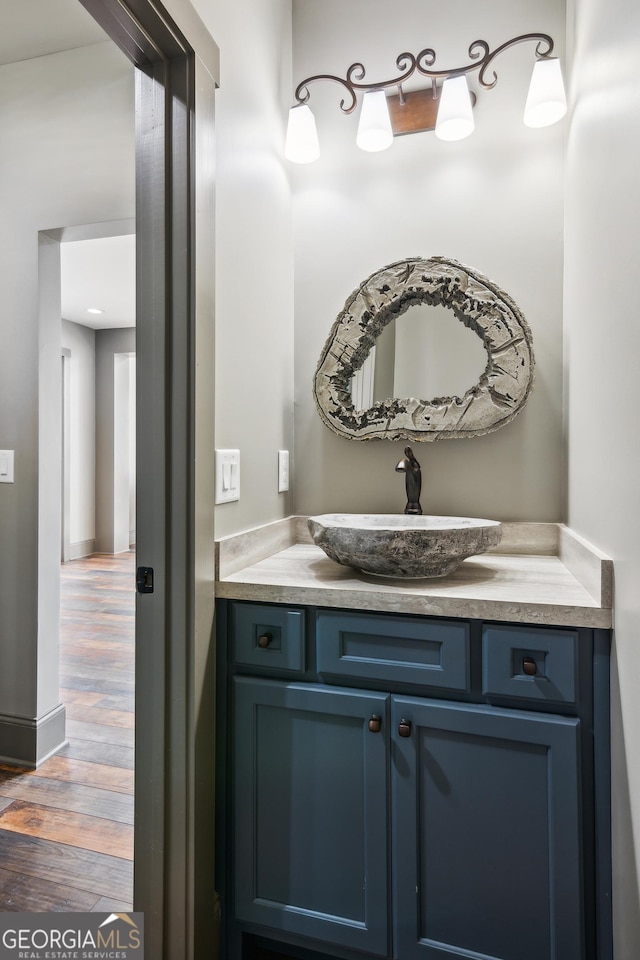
<point x="446" y="106"/>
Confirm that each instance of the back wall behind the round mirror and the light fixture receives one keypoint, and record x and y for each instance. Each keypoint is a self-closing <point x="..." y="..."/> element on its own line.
<point x="493" y="201"/>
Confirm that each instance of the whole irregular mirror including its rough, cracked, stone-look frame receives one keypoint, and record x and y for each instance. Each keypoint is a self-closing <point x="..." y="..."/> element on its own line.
<point x="424" y="350"/>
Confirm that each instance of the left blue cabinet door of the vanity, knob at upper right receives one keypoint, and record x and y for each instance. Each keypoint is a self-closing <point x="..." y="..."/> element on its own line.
<point x="310" y="797"/>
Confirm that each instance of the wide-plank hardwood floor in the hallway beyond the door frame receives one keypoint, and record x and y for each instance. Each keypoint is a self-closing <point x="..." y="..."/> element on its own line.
<point x="66" y="829"/>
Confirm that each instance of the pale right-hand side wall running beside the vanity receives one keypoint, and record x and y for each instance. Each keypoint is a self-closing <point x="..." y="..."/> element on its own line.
<point x="601" y="366"/>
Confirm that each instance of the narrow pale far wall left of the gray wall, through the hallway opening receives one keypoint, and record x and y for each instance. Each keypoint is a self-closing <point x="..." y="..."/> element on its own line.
<point x="80" y="341"/>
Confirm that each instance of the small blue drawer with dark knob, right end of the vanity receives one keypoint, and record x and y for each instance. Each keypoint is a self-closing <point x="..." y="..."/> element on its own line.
<point x="530" y="664"/>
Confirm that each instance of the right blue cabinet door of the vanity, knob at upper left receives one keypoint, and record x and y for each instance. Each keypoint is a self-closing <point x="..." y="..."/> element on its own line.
<point x="486" y="811"/>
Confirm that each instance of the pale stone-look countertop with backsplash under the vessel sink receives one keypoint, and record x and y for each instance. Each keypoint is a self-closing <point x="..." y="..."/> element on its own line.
<point x="566" y="583"/>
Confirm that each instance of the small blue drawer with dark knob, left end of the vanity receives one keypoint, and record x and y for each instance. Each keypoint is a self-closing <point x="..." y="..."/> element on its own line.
<point x="271" y="637"/>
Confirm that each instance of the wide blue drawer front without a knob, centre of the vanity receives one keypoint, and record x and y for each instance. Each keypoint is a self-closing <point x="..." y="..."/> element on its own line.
<point x="425" y="653"/>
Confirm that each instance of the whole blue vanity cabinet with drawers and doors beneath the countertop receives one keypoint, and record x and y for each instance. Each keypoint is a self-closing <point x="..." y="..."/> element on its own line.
<point x="411" y="788"/>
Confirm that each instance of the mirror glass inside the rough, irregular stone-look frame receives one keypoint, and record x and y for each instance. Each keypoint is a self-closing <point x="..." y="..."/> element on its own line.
<point x="424" y="352"/>
